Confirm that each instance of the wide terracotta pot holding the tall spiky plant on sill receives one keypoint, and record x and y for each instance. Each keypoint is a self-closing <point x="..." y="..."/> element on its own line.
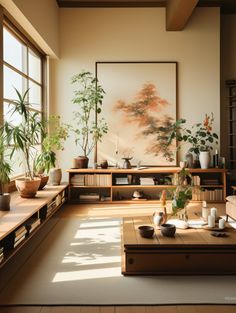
<point x="27" y="187"/>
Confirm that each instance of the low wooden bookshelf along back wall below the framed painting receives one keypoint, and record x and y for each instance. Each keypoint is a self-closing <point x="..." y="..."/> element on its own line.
<point x="112" y="192"/>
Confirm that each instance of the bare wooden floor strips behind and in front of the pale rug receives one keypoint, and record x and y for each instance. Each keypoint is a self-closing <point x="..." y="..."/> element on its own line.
<point x="73" y="211"/>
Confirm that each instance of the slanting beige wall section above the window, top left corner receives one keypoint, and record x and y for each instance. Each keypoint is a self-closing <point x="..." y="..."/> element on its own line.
<point x="40" y="19"/>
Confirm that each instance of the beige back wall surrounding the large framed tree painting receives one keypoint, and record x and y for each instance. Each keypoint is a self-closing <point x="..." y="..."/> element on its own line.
<point x="90" y="35"/>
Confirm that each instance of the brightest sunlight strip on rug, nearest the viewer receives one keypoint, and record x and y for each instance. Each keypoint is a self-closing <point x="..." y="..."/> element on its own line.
<point x="87" y="274"/>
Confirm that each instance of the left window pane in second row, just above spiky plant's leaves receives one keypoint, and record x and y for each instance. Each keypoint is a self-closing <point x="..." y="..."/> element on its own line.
<point x="11" y="80"/>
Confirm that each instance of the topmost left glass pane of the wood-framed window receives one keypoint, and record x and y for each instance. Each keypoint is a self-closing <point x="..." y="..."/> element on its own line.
<point x="14" y="52"/>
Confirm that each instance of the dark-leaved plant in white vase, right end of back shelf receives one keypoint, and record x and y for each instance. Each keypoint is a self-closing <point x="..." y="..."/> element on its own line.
<point x="200" y="136"/>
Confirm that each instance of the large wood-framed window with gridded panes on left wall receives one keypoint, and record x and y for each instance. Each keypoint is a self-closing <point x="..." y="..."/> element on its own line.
<point x="22" y="69"/>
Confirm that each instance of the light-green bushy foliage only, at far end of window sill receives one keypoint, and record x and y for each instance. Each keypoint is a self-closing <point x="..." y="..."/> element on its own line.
<point x="53" y="137"/>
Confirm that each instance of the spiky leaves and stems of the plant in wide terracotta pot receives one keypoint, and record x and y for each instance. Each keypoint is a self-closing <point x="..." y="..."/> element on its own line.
<point x="27" y="134"/>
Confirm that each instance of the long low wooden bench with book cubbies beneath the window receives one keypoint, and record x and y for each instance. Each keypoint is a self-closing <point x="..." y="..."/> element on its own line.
<point x="24" y="212"/>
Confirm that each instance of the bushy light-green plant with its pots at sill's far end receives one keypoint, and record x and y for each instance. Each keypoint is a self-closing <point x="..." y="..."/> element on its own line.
<point x="54" y="134"/>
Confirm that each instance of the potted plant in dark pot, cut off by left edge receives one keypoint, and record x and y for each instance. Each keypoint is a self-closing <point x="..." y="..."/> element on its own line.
<point x="5" y="170"/>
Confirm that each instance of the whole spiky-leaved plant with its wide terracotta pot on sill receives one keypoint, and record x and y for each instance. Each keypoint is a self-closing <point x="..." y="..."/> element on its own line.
<point x="24" y="137"/>
